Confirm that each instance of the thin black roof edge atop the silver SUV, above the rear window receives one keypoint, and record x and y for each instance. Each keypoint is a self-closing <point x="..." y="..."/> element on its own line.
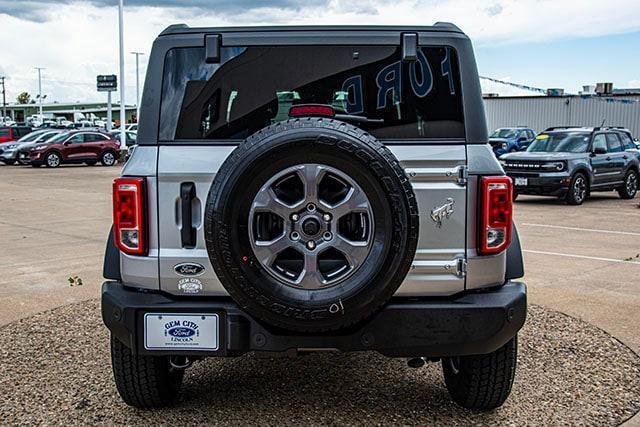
<point x="437" y="27"/>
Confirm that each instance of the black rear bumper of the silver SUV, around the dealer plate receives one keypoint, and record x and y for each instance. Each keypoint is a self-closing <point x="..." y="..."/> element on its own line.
<point x="473" y="323"/>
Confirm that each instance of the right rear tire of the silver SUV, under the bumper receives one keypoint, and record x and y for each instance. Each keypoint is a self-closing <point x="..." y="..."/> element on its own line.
<point x="484" y="381"/>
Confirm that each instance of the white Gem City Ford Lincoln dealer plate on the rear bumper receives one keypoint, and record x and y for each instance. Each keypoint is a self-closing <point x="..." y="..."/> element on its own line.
<point x="181" y="331"/>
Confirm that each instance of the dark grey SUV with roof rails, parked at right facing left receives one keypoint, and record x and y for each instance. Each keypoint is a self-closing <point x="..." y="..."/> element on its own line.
<point x="571" y="162"/>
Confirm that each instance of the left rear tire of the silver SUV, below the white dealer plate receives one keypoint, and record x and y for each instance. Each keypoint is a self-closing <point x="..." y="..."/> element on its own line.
<point x="144" y="381"/>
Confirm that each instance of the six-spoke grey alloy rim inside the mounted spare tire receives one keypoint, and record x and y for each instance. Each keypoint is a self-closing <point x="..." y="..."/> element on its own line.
<point x="311" y="226"/>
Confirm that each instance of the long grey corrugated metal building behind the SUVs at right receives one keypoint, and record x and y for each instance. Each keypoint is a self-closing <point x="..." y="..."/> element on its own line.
<point x="541" y="112"/>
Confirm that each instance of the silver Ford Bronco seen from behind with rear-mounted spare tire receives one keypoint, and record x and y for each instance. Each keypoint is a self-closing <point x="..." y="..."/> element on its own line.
<point x="299" y="189"/>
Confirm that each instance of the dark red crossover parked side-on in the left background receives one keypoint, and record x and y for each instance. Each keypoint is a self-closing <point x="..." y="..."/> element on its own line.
<point x="76" y="147"/>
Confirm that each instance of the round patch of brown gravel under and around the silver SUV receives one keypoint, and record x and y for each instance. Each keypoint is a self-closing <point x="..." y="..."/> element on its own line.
<point x="56" y="370"/>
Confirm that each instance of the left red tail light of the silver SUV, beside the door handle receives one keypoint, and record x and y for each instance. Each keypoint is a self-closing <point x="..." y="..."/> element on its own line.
<point x="129" y="215"/>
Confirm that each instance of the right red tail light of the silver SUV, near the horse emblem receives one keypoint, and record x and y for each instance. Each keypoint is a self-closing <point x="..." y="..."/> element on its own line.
<point x="496" y="207"/>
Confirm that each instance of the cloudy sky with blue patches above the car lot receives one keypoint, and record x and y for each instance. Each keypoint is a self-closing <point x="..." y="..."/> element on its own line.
<point x="543" y="43"/>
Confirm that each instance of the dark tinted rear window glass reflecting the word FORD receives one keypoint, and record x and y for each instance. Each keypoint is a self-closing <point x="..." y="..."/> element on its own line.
<point x="254" y="87"/>
